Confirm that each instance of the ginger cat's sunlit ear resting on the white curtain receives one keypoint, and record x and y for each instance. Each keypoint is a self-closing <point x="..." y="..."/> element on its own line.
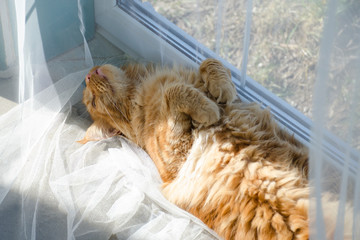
<point x="98" y="131"/>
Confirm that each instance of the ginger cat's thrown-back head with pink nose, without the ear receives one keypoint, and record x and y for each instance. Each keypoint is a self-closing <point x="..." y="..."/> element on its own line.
<point x="105" y="86"/>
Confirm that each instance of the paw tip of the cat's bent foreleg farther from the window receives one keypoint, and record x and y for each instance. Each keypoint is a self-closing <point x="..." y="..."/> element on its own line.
<point x="206" y="114"/>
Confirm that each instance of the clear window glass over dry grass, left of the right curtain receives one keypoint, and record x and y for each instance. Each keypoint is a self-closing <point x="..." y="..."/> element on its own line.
<point x="284" y="41"/>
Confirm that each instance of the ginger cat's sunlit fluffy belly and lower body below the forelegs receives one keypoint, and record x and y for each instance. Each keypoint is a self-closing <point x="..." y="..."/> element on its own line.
<point x="239" y="196"/>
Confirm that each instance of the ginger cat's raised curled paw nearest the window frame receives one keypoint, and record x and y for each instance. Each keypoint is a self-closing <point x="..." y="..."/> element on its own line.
<point x="217" y="80"/>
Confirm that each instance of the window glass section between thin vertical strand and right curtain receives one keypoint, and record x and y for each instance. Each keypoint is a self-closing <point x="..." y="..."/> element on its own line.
<point x="284" y="48"/>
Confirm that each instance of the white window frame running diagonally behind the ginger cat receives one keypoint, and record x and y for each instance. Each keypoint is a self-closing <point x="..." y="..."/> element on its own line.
<point x="128" y="23"/>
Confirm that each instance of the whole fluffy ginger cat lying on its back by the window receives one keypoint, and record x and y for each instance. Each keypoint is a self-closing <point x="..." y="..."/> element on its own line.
<point x="224" y="161"/>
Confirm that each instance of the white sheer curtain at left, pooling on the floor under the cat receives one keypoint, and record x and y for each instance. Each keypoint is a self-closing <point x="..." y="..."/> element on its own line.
<point x="52" y="187"/>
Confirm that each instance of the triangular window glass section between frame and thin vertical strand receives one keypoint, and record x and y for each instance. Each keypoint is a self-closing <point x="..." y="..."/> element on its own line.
<point x="216" y="24"/>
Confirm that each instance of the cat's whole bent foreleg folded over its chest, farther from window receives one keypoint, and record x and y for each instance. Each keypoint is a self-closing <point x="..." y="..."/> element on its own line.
<point x="185" y="99"/>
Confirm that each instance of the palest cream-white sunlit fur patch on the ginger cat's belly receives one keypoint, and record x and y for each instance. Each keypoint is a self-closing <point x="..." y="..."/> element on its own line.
<point x="199" y="175"/>
